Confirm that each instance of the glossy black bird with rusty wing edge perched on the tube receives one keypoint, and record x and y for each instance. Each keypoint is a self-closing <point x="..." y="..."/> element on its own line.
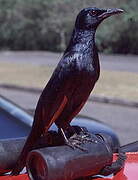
<point x="72" y="81"/>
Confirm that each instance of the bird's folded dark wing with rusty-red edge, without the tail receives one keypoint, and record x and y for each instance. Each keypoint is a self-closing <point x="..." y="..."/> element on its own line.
<point x="55" y="95"/>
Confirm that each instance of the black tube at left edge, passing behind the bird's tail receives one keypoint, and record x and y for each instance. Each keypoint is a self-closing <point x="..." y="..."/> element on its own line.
<point x="10" y="149"/>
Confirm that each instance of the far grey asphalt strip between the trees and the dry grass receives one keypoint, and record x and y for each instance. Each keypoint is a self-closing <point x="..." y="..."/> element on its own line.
<point x="108" y="62"/>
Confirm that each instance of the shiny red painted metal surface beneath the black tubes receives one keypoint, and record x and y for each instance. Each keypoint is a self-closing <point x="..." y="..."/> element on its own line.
<point x="130" y="171"/>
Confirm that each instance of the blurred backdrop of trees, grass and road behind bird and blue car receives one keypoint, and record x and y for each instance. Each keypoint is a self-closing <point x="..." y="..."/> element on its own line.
<point x="33" y="35"/>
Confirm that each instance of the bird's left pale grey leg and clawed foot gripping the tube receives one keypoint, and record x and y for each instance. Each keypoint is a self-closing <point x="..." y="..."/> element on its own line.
<point x="72" y="141"/>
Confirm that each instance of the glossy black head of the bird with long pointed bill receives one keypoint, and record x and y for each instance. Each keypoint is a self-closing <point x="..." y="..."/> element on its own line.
<point x="90" y="18"/>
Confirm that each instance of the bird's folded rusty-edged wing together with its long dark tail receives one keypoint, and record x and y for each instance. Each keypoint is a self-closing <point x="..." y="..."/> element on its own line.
<point x="51" y="103"/>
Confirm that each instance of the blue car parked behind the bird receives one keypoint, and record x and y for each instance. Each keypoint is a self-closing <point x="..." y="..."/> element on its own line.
<point x="16" y="122"/>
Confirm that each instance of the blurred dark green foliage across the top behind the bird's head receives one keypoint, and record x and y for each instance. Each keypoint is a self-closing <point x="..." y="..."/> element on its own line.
<point x="47" y="25"/>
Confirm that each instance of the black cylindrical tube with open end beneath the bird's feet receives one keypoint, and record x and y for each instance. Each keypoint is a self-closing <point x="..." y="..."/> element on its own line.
<point x="63" y="162"/>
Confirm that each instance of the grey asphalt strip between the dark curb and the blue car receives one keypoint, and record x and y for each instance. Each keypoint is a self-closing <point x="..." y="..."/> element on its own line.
<point x="123" y="120"/>
